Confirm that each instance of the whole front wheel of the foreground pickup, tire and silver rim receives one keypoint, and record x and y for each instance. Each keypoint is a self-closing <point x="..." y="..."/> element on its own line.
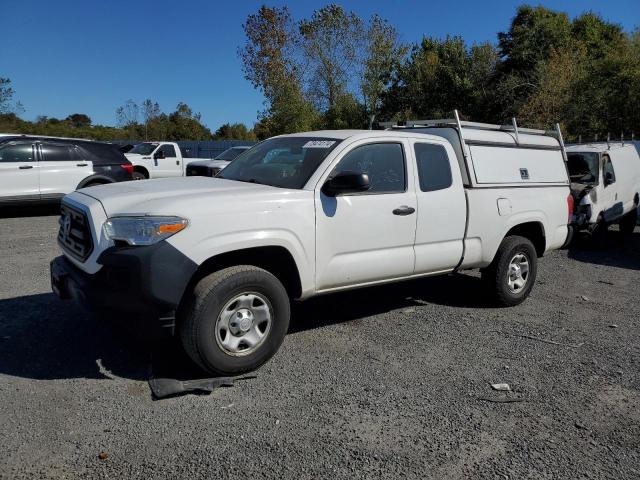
<point x="235" y="320"/>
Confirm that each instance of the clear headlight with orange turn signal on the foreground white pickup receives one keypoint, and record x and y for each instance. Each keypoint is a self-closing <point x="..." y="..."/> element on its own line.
<point x="142" y="230"/>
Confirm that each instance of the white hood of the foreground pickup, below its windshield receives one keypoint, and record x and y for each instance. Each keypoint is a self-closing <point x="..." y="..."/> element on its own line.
<point x="178" y="196"/>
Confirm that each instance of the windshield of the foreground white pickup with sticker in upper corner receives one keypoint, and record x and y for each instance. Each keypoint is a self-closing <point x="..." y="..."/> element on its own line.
<point x="285" y="162"/>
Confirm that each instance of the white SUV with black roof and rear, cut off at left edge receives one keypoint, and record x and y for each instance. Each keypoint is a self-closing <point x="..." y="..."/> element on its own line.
<point x="44" y="169"/>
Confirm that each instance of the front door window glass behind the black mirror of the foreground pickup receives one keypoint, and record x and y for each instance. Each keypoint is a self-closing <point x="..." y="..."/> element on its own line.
<point x="384" y="164"/>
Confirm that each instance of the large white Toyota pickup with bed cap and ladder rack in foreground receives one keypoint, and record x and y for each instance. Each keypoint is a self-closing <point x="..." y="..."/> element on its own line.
<point x="313" y="213"/>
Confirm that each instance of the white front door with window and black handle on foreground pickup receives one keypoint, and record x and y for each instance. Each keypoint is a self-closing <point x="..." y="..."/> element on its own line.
<point x="367" y="237"/>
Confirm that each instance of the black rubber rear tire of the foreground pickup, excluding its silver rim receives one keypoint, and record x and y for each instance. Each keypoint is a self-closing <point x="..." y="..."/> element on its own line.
<point x="496" y="275"/>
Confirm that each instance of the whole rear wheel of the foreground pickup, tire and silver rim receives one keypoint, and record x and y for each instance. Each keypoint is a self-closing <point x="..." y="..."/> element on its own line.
<point x="511" y="275"/>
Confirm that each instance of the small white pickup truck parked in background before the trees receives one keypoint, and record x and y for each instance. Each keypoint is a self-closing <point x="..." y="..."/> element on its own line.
<point x="158" y="160"/>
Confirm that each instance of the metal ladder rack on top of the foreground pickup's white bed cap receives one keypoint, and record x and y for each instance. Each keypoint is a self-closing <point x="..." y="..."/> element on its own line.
<point x="460" y="125"/>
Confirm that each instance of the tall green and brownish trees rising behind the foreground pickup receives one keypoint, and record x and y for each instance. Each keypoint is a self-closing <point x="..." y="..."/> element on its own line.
<point x="337" y="70"/>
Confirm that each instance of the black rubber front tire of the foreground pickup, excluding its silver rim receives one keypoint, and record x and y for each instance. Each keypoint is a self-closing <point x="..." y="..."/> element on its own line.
<point x="197" y="322"/>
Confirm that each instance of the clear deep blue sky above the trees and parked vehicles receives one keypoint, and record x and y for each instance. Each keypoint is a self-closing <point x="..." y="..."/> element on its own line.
<point x="90" y="56"/>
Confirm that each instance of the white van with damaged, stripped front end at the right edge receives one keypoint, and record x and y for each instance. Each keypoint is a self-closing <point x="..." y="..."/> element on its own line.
<point x="605" y="183"/>
